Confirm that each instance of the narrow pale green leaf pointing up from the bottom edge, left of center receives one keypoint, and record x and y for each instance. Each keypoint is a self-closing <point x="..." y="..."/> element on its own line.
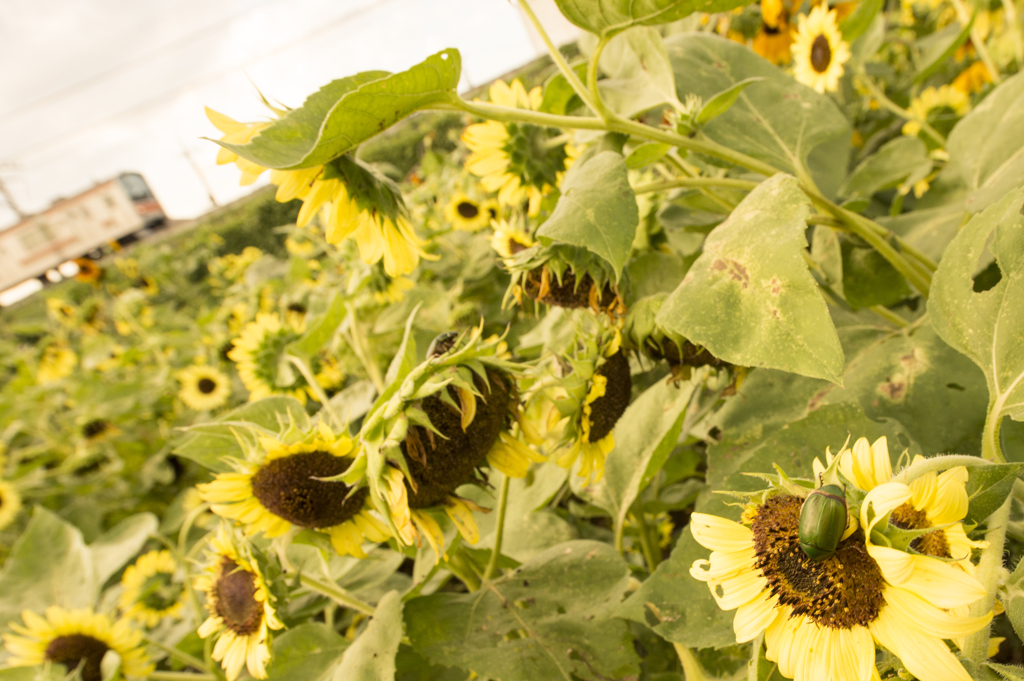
<point x="371" y="658"/>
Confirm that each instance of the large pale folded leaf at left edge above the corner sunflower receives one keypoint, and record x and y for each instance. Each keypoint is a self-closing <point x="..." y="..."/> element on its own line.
<point x="51" y="565"/>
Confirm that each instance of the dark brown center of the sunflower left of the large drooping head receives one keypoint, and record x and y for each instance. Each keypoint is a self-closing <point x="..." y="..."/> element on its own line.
<point x="287" y="488"/>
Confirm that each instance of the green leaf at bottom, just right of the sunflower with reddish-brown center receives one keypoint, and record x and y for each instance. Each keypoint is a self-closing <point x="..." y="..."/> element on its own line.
<point x="312" y="652"/>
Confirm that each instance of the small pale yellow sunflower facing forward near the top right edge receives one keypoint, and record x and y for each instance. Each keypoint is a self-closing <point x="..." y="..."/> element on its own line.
<point x="820" y="51"/>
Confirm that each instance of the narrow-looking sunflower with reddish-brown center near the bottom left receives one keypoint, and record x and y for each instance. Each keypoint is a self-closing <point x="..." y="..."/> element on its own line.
<point x="241" y="612"/>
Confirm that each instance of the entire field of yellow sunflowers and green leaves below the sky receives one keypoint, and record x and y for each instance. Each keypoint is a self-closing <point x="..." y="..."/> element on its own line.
<point x="697" y="355"/>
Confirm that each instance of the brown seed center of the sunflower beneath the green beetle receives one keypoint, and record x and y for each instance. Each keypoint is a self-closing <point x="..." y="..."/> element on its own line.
<point x="841" y="592"/>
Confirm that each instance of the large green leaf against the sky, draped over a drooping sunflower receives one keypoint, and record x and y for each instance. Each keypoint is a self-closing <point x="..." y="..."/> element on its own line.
<point x="350" y="111"/>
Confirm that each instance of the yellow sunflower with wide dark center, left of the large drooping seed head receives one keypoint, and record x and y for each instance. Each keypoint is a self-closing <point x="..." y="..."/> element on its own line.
<point x="284" y="491"/>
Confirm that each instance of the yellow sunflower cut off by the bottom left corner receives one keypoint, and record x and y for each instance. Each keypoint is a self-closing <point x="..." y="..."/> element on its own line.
<point x="77" y="640"/>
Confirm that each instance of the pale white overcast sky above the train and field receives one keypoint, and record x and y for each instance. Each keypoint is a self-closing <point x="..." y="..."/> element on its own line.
<point x="92" y="89"/>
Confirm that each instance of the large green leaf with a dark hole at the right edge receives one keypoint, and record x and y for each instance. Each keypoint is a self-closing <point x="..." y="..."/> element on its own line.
<point x="988" y="326"/>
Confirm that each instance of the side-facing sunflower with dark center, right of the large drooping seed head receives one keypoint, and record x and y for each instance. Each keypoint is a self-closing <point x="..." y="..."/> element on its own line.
<point x="606" y="395"/>
